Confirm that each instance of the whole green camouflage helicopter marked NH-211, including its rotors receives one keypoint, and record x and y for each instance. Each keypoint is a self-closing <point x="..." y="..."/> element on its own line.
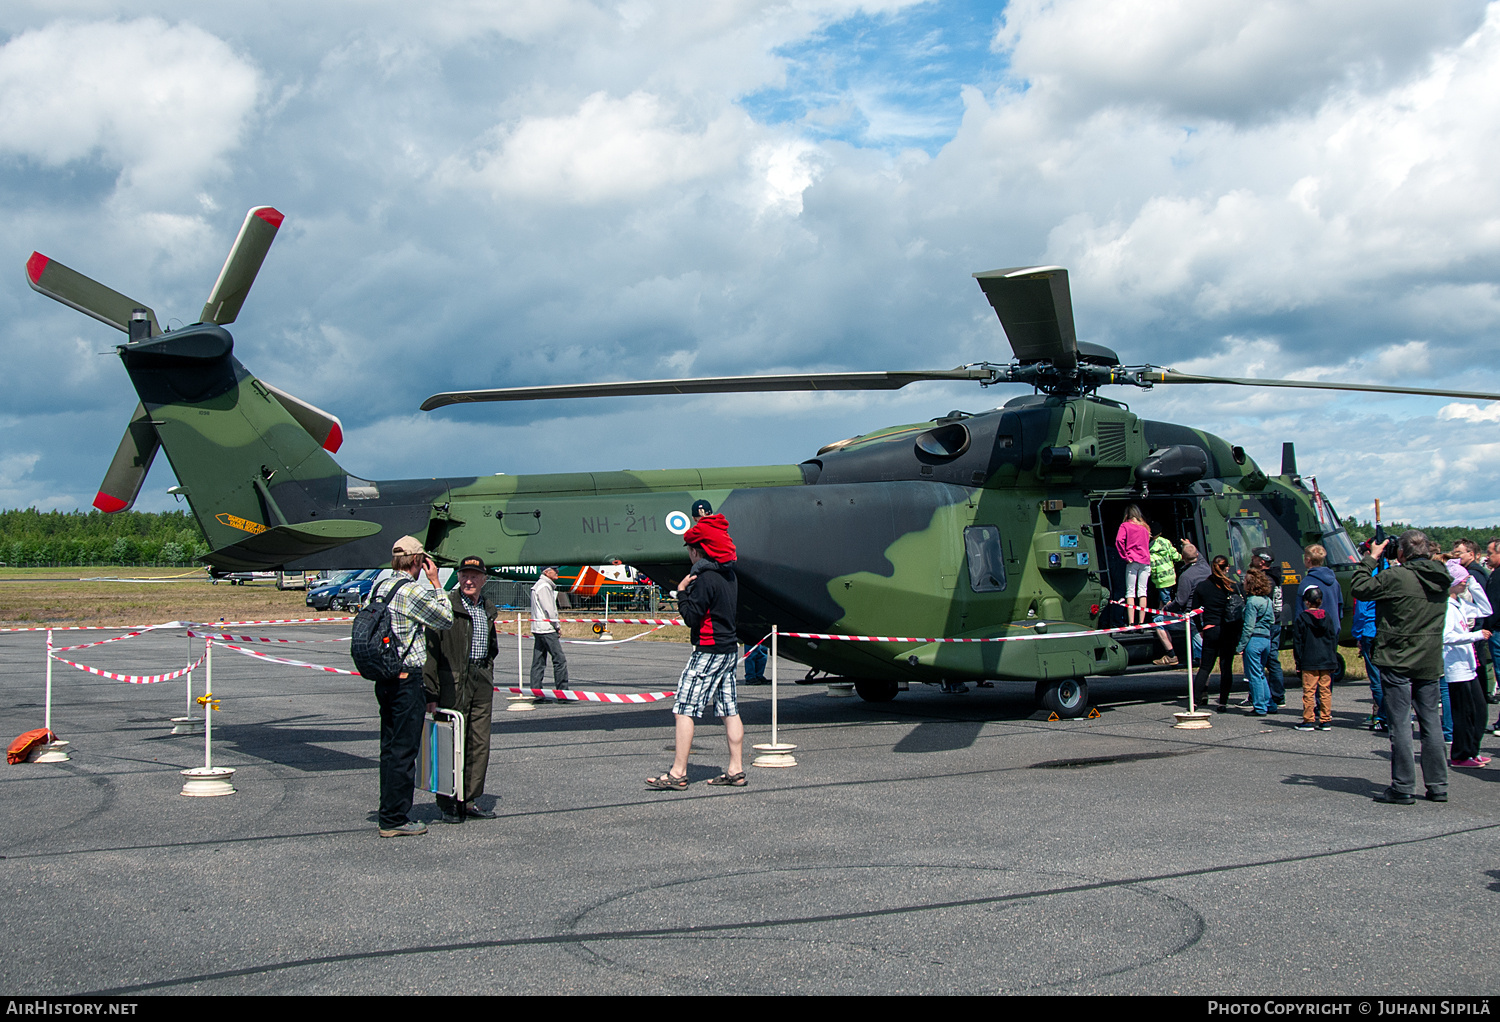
<point x="985" y="525"/>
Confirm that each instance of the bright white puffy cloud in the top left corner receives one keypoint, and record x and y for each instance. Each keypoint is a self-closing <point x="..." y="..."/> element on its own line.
<point x="161" y="104"/>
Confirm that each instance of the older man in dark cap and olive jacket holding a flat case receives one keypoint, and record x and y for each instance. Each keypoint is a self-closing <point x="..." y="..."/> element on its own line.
<point x="461" y="676"/>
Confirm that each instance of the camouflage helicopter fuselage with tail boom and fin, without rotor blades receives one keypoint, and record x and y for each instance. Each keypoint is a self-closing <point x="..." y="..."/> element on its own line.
<point x="965" y="528"/>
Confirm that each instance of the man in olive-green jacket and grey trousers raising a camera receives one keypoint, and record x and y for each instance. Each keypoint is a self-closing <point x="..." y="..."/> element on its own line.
<point x="1411" y="607"/>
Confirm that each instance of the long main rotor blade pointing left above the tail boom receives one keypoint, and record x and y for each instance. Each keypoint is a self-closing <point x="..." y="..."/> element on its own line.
<point x="713" y="385"/>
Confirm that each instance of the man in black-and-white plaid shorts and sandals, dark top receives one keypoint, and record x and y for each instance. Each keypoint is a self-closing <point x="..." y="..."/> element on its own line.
<point x="709" y="604"/>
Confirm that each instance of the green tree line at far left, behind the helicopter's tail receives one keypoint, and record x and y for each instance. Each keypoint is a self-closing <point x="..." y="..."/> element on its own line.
<point x="83" y="540"/>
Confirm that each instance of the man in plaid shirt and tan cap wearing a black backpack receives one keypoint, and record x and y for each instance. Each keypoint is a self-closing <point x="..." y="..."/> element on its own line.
<point x="403" y="702"/>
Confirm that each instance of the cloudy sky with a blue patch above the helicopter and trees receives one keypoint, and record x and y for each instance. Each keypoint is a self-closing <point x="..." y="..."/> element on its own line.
<point x="550" y="191"/>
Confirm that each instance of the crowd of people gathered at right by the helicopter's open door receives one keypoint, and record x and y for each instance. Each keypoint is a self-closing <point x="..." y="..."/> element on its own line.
<point x="1427" y="624"/>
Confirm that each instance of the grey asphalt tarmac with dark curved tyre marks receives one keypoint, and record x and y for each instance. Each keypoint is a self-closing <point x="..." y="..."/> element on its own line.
<point x="937" y="844"/>
